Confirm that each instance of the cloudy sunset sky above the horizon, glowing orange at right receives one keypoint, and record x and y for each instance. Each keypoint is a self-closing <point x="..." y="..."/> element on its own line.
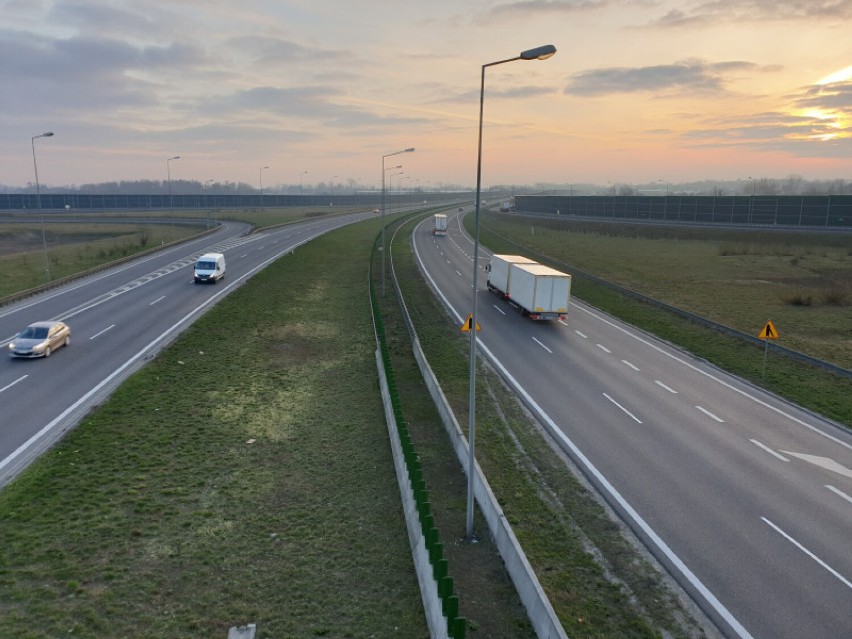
<point x="318" y="90"/>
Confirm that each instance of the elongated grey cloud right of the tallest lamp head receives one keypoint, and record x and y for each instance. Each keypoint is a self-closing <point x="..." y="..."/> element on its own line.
<point x="694" y="75"/>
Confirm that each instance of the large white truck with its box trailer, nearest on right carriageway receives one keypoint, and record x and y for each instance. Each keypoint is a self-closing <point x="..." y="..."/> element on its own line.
<point x="538" y="291"/>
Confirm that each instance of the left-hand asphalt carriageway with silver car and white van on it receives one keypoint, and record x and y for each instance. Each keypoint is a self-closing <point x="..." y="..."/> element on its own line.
<point x="119" y="319"/>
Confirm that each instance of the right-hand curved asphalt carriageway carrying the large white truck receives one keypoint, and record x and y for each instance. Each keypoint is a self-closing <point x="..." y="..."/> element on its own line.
<point x="746" y="499"/>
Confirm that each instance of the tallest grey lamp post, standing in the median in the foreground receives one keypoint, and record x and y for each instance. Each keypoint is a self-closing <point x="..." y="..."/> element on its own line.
<point x="539" y="53"/>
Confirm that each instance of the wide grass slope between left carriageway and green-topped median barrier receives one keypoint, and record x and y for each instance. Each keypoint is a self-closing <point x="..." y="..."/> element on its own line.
<point x="244" y="475"/>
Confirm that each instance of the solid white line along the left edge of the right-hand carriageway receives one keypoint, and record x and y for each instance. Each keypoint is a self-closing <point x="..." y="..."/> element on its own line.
<point x="631" y="513"/>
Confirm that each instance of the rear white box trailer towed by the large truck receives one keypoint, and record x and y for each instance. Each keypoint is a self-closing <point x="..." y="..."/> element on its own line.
<point x="540" y="291"/>
